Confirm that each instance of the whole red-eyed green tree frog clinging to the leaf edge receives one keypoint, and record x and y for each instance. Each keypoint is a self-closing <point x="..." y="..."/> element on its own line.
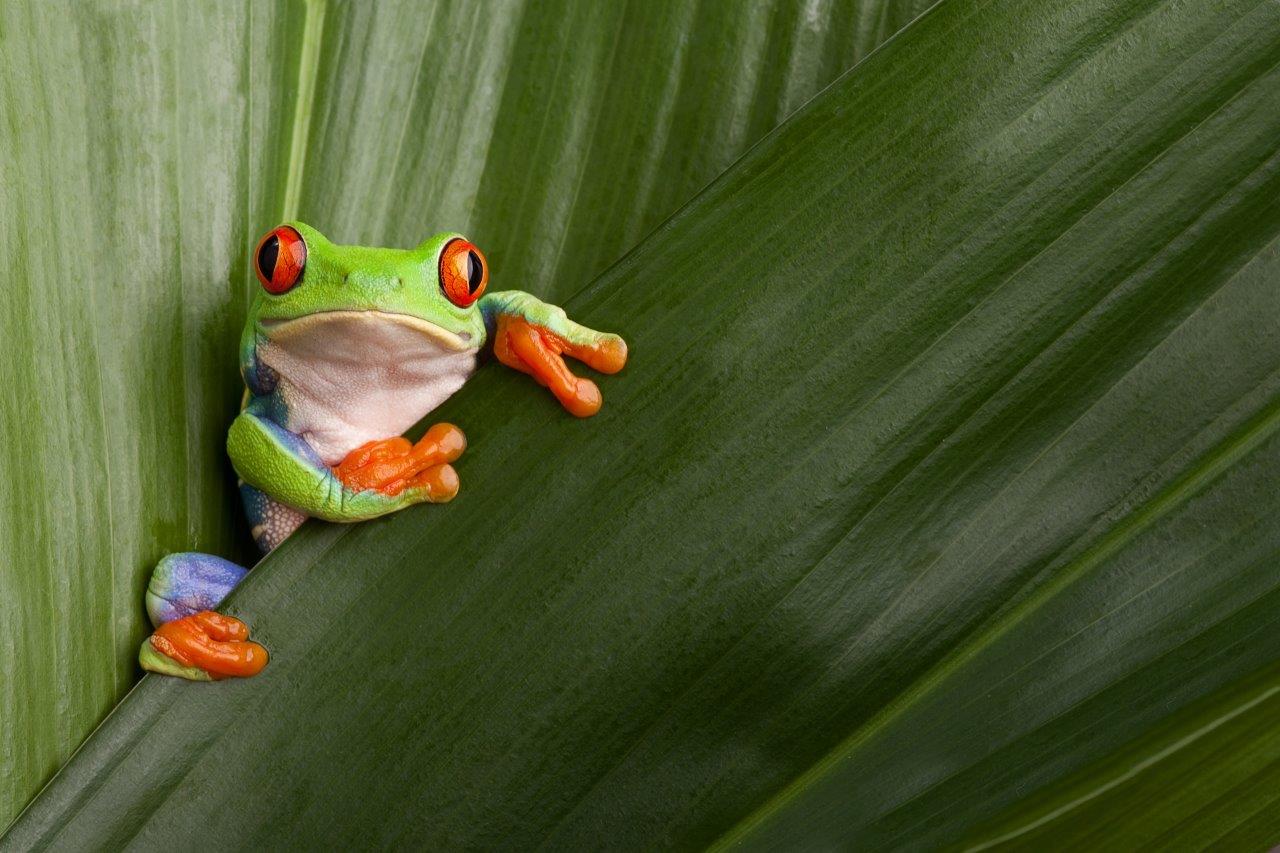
<point x="345" y="349"/>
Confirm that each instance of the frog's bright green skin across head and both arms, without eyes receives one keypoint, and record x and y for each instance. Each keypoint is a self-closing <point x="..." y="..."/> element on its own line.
<point x="354" y="279"/>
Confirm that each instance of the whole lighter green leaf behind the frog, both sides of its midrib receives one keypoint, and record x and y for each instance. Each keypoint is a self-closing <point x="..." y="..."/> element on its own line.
<point x="147" y="145"/>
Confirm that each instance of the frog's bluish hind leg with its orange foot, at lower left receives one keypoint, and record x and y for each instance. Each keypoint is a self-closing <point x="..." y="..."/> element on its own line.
<point x="191" y="641"/>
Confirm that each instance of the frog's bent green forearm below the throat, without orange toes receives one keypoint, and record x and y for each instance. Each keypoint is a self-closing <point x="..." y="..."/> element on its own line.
<point x="284" y="466"/>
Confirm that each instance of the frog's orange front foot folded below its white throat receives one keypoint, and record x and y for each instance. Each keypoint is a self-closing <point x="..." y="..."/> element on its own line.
<point x="394" y="466"/>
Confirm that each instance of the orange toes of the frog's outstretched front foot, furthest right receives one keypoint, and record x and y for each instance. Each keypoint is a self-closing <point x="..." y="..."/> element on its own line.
<point x="537" y="352"/>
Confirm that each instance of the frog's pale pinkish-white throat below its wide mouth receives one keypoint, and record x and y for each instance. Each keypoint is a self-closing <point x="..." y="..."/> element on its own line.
<point x="351" y="377"/>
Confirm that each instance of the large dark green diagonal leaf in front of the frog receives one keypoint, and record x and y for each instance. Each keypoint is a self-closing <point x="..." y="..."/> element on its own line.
<point x="938" y="503"/>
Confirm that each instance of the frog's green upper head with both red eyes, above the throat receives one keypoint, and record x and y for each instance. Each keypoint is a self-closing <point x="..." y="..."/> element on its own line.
<point x="309" y="284"/>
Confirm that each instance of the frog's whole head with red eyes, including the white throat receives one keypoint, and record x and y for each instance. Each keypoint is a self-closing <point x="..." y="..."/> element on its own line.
<point x="374" y="336"/>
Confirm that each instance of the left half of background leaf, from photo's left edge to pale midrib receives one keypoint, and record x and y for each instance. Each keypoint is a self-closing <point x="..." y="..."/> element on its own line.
<point x="127" y="195"/>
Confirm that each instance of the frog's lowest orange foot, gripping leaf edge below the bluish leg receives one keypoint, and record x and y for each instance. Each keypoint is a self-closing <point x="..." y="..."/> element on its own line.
<point x="205" y="646"/>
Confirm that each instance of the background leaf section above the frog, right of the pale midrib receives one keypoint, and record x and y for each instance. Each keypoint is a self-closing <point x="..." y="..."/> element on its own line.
<point x="559" y="134"/>
